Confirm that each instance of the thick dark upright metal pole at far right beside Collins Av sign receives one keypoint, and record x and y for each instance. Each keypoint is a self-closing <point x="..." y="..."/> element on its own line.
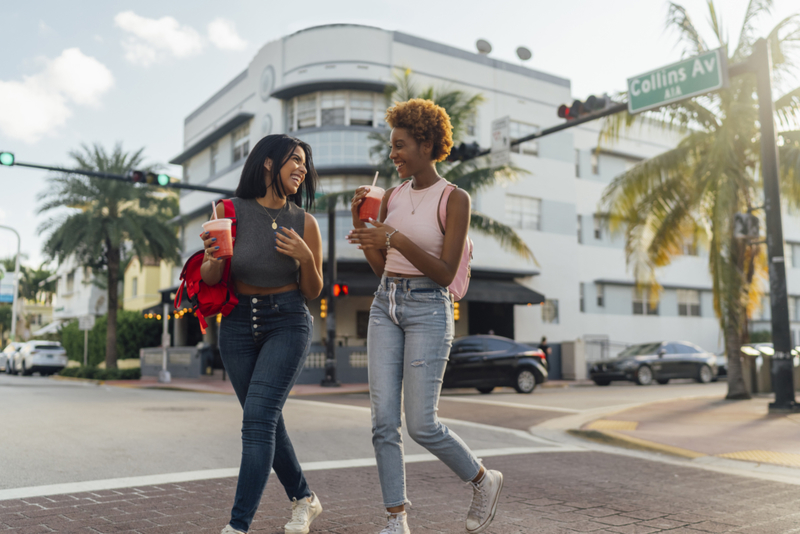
<point x="782" y="360"/>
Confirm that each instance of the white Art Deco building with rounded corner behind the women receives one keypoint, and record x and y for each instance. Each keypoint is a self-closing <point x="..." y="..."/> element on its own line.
<point x="326" y="85"/>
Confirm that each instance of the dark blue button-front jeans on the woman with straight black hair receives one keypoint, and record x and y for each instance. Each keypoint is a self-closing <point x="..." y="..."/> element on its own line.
<point x="264" y="342"/>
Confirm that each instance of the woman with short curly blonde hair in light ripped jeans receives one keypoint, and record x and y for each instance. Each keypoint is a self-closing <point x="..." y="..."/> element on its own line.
<point x="411" y="319"/>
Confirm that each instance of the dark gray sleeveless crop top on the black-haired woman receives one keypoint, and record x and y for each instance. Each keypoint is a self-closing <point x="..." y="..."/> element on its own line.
<point x="255" y="260"/>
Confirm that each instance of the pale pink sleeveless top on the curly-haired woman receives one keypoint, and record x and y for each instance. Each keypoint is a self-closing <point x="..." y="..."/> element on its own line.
<point x="415" y="213"/>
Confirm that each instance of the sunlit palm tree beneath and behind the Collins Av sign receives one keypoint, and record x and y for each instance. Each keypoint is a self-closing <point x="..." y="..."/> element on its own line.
<point x="693" y="191"/>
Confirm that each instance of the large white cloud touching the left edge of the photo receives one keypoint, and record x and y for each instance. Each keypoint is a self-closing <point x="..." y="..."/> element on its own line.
<point x="41" y="103"/>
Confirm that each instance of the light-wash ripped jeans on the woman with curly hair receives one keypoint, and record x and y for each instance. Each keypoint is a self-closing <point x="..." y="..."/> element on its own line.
<point x="409" y="339"/>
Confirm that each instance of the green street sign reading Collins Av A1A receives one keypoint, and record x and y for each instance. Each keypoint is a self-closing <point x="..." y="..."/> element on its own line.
<point x="679" y="81"/>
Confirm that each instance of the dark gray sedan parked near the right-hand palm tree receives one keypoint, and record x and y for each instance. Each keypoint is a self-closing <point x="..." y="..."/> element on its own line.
<point x="660" y="361"/>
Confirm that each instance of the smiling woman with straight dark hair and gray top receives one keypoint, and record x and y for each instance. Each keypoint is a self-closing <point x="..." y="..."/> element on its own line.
<point x="276" y="266"/>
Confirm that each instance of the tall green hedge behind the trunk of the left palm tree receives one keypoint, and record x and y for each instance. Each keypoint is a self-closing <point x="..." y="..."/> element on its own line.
<point x="133" y="333"/>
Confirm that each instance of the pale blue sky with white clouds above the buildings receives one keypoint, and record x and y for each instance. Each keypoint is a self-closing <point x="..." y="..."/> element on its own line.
<point x="107" y="72"/>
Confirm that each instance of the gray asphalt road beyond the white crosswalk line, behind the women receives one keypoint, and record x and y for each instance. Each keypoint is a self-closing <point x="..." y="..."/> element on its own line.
<point x="56" y="432"/>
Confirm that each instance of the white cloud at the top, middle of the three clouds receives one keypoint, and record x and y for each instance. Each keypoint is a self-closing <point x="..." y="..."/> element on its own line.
<point x="152" y="40"/>
